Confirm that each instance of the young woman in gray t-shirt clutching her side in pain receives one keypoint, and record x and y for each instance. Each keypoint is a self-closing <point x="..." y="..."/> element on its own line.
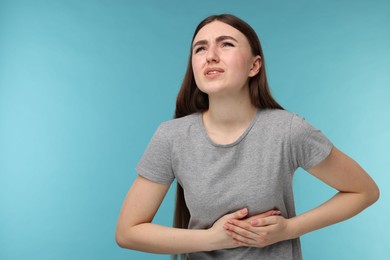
<point x="233" y="151"/>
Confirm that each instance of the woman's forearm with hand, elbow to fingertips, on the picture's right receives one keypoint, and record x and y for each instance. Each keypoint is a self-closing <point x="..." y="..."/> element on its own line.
<point x="261" y="232"/>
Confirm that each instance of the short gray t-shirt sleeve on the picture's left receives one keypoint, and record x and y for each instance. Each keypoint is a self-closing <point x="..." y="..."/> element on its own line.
<point x="155" y="163"/>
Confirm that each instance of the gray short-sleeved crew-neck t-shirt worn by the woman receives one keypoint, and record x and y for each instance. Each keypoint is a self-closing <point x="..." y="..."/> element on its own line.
<point x="255" y="172"/>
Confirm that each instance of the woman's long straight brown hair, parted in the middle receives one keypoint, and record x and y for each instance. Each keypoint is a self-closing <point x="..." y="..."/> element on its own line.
<point x="191" y="100"/>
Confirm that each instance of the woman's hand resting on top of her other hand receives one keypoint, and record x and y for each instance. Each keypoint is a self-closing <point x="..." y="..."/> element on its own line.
<point x="259" y="232"/>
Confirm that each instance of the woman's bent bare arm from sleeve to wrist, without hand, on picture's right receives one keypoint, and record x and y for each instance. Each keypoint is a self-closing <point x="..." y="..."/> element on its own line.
<point x="356" y="189"/>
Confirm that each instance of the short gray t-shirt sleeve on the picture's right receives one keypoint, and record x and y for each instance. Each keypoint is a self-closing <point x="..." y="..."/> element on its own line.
<point x="309" y="146"/>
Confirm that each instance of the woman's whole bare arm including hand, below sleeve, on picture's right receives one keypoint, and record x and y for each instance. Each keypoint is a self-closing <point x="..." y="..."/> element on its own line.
<point x="356" y="189"/>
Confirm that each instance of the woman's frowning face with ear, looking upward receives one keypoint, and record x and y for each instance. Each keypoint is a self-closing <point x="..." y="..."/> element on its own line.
<point x="222" y="59"/>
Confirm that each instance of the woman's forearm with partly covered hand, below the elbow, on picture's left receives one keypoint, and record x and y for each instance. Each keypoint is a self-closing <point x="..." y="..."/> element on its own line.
<point x="149" y="237"/>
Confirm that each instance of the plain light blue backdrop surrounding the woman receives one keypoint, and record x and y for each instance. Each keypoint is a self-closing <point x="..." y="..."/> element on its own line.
<point x="84" y="84"/>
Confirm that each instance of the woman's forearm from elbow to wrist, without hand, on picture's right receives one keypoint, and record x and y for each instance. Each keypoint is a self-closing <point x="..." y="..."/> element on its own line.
<point x="342" y="206"/>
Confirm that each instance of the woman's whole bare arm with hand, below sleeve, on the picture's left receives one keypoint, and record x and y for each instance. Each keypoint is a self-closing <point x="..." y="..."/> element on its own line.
<point x="135" y="230"/>
